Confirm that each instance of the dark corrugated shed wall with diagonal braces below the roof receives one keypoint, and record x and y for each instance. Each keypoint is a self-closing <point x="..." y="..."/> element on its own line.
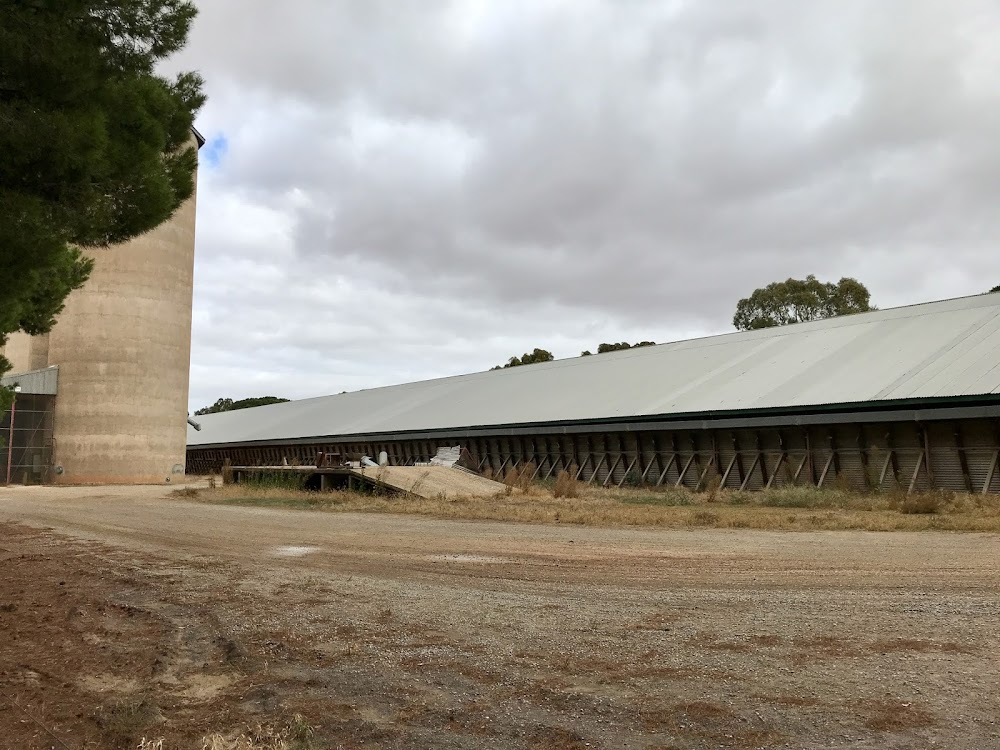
<point x="959" y="455"/>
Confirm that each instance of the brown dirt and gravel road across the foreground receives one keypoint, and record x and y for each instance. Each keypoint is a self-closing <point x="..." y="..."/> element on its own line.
<point x="395" y="631"/>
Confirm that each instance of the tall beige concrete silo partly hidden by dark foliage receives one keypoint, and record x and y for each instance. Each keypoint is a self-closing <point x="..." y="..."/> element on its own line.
<point x="123" y="349"/>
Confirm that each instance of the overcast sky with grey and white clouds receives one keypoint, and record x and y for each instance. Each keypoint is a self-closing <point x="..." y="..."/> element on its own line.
<point x="395" y="190"/>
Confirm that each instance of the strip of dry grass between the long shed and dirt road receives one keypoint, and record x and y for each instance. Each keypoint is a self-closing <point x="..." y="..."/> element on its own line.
<point x="571" y="502"/>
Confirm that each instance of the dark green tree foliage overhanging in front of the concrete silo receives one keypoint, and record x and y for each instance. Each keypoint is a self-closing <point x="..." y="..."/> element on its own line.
<point x="94" y="146"/>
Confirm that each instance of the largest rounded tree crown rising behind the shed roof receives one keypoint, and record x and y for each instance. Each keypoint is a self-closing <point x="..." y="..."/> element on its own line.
<point x="796" y="301"/>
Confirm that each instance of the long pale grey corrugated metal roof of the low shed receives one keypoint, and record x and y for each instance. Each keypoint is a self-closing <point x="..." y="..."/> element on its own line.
<point x="934" y="350"/>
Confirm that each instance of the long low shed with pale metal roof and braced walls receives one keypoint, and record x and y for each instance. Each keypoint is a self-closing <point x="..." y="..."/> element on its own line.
<point x="903" y="398"/>
